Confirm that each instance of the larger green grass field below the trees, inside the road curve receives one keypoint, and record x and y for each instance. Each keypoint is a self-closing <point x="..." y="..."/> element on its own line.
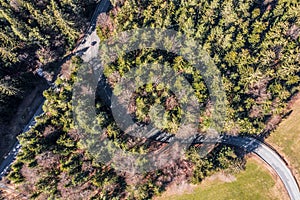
<point x="254" y="183"/>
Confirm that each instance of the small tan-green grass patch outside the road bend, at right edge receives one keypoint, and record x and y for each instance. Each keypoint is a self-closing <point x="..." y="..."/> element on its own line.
<point x="286" y="139"/>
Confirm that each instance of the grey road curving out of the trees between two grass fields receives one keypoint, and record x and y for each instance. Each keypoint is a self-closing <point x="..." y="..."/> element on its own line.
<point x="250" y="145"/>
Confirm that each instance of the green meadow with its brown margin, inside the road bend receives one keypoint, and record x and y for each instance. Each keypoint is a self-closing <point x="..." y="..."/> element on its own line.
<point x="258" y="181"/>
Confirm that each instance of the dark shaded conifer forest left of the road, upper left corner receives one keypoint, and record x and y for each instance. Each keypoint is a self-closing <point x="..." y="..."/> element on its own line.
<point x="35" y="34"/>
